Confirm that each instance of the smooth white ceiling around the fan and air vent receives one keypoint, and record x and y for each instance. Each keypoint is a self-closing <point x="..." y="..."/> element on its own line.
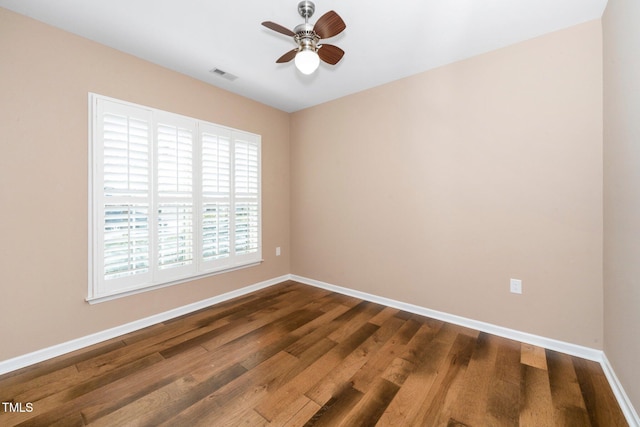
<point x="384" y="41"/>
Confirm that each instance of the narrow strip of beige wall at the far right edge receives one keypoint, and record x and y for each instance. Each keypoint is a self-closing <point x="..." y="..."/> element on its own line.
<point x="622" y="192"/>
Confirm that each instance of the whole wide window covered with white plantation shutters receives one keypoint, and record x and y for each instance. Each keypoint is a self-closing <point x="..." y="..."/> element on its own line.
<point x="172" y="198"/>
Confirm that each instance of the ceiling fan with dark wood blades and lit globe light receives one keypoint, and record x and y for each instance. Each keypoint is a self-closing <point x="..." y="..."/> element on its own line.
<point x="309" y="53"/>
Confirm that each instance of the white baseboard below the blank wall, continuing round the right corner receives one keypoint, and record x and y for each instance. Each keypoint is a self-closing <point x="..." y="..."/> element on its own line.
<point x="560" y="346"/>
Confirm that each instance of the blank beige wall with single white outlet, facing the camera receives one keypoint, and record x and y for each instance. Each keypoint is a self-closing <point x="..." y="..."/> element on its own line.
<point x="437" y="189"/>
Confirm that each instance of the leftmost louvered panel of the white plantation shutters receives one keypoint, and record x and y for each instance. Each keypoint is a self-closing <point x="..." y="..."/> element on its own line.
<point x="122" y="195"/>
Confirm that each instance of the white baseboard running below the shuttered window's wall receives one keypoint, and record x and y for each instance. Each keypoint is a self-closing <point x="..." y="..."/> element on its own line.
<point x="79" y="343"/>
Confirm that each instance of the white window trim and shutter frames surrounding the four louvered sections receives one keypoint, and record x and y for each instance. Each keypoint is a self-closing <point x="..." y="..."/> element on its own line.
<point x="97" y="293"/>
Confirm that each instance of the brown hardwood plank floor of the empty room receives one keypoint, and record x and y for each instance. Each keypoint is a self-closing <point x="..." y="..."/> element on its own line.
<point x="294" y="355"/>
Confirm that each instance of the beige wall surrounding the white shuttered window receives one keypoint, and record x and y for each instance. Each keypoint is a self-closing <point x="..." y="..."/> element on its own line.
<point x="45" y="75"/>
